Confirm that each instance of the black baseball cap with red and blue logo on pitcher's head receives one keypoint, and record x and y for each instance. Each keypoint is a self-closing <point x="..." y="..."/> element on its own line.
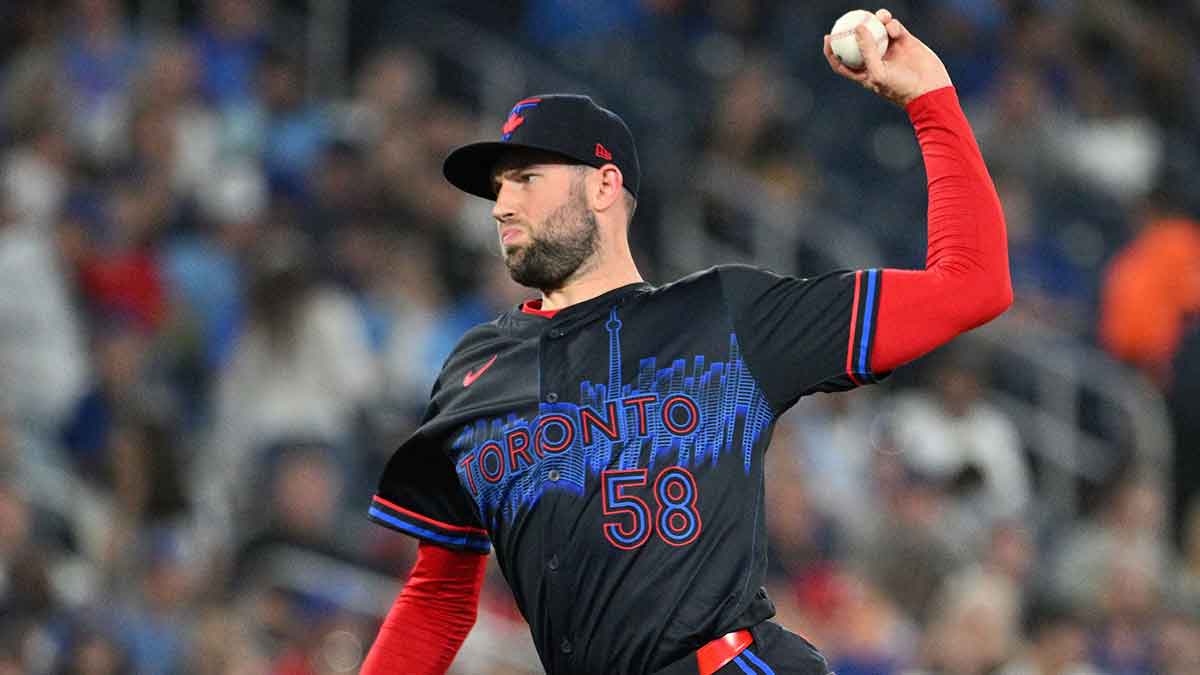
<point x="565" y="124"/>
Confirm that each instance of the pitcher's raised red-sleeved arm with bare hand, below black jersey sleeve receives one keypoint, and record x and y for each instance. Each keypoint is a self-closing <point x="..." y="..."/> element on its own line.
<point x="967" y="279"/>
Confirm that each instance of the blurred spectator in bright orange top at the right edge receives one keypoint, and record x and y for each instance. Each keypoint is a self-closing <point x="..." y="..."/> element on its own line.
<point x="1153" y="289"/>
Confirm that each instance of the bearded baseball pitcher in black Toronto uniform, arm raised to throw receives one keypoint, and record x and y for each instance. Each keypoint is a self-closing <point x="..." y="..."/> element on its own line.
<point x="608" y="439"/>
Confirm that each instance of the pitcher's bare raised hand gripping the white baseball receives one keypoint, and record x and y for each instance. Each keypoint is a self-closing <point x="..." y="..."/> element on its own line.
<point x="908" y="70"/>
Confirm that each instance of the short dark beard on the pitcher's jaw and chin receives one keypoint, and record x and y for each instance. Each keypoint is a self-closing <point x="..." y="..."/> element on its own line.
<point x="563" y="243"/>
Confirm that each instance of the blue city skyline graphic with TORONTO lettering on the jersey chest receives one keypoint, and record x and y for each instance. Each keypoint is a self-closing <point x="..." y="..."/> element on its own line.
<point x="693" y="415"/>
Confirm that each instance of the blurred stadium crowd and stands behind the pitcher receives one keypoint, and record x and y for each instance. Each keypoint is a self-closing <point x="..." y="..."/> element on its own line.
<point x="230" y="270"/>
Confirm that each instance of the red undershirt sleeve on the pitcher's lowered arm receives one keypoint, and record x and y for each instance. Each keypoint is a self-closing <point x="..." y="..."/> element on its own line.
<point x="433" y="616"/>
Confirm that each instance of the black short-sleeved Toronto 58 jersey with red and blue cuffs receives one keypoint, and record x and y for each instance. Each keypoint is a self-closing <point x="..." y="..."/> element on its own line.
<point x="613" y="455"/>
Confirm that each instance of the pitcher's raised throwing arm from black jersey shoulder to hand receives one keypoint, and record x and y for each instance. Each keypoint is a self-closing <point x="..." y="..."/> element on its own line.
<point x="849" y="328"/>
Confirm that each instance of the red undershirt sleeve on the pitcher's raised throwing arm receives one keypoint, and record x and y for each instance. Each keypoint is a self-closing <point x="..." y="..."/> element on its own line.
<point x="967" y="280"/>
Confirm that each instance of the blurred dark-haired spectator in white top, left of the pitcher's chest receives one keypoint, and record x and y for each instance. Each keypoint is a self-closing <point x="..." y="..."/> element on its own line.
<point x="302" y="368"/>
